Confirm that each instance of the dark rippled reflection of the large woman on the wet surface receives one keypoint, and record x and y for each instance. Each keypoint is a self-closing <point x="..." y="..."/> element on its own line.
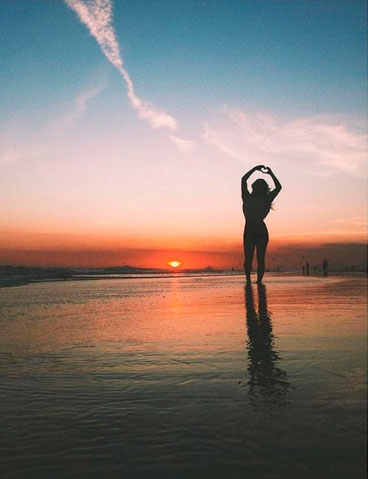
<point x="267" y="382"/>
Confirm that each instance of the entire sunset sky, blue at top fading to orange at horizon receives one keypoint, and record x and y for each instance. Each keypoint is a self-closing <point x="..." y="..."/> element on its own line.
<point x="126" y="126"/>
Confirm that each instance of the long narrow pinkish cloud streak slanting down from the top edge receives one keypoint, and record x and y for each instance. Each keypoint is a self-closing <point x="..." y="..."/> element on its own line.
<point x="97" y="16"/>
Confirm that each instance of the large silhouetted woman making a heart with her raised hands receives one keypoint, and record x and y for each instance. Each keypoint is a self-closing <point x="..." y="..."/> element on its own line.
<point x="256" y="206"/>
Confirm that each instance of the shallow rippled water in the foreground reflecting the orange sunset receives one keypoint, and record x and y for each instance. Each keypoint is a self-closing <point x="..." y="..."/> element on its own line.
<point x="184" y="378"/>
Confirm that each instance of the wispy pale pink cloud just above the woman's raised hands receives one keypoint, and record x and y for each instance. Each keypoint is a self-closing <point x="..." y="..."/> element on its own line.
<point x="327" y="141"/>
